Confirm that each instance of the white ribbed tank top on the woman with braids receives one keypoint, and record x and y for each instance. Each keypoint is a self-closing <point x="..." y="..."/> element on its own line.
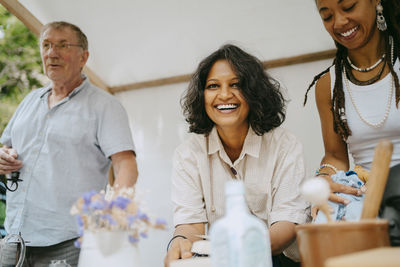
<point x="371" y="101"/>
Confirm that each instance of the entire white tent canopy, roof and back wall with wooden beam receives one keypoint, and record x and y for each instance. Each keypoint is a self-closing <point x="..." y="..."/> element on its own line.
<point x="154" y="45"/>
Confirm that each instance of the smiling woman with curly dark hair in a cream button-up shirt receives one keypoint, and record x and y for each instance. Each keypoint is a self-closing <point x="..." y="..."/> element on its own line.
<point x="234" y="109"/>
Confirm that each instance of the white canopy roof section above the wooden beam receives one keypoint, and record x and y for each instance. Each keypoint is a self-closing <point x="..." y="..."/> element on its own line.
<point x="136" y="41"/>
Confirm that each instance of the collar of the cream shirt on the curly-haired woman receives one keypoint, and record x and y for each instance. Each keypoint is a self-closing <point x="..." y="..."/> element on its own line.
<point x="251" y="146"/>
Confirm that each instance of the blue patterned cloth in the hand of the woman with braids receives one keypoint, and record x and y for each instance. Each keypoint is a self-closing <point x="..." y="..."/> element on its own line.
<point x="351" y="211"/>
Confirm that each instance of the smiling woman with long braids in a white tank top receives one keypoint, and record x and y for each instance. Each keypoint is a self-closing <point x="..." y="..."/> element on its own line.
<point x="358" y="96"/>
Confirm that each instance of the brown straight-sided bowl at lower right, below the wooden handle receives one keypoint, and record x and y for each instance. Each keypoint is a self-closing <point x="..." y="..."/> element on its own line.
<point x="317" y="242"/>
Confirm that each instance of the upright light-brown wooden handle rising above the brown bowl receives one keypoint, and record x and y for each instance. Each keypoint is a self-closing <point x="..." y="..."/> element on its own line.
<point x="377" y="179"/>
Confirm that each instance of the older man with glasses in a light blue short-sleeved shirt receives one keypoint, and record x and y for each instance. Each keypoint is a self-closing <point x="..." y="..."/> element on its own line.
<point x="61" y="140"/>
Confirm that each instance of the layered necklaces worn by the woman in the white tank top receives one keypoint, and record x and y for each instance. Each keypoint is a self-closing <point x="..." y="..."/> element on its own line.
<point x="390" y="94"/>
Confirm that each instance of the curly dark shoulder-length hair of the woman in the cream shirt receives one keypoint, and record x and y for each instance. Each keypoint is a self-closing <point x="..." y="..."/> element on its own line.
<point x="261" y="92"/>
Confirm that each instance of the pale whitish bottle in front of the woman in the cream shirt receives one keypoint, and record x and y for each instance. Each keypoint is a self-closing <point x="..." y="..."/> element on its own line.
<point x="239" y="239"/>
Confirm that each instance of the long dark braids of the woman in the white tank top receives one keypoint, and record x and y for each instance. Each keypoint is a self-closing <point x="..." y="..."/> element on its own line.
<point x="391" y="12"/>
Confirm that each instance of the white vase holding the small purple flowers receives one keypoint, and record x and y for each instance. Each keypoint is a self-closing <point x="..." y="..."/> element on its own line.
<point x="108" y="248"/>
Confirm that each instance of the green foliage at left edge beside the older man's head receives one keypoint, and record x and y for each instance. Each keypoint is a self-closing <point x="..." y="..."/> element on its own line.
<point x="20" y="64"/>
